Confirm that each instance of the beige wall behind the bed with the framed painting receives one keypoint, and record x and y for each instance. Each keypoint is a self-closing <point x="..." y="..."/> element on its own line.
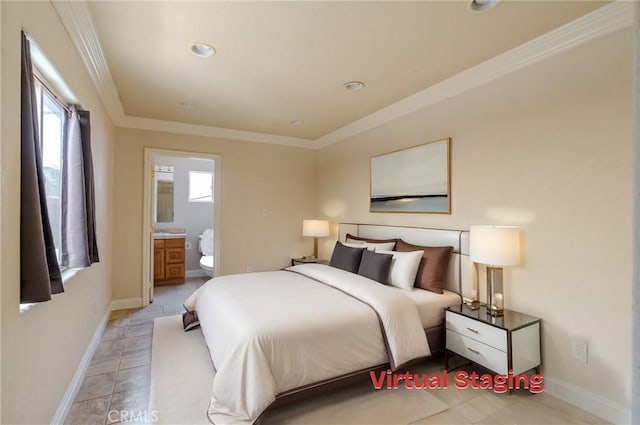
<point x="547" y="148"/>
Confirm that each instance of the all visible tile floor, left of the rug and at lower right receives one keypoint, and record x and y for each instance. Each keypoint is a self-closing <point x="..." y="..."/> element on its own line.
<point x="118" y="379"/>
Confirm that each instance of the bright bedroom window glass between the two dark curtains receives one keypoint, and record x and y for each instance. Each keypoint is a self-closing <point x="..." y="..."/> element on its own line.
<point x="51" y="123"/>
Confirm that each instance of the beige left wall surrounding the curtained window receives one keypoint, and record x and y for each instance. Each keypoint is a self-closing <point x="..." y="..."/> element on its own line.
<point x="41" y="349"/>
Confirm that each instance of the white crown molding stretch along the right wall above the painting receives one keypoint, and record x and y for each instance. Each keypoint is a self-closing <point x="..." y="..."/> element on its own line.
<point x="605" y="20"/>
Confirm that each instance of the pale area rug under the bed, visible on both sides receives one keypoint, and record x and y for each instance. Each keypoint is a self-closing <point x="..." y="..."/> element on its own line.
<point x="182" y="377"/>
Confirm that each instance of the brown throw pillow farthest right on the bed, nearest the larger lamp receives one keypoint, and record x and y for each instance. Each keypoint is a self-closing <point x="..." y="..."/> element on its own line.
<point x="433" y="265"/>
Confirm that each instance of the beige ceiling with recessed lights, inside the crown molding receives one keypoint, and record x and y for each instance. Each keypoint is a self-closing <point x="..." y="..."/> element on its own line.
<point x="277" y="62"/>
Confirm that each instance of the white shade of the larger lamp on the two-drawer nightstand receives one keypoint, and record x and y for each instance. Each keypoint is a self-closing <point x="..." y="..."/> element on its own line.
<point x="495" y="245"/>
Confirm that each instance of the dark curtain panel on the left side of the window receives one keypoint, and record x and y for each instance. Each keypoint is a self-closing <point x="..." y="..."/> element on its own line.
<point x="39" y="271"/>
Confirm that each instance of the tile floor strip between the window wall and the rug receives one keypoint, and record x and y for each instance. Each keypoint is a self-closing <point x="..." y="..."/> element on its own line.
<point x="118" y="377"/>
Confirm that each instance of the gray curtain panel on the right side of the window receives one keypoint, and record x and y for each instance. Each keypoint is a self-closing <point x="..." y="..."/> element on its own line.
<point x="79" y="246"/>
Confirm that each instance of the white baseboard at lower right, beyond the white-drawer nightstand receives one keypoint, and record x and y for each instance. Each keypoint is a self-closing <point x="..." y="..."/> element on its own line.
<point x="586" y="400"/>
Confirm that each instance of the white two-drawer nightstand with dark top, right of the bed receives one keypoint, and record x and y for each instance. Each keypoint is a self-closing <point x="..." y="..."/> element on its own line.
<point x="500" y="344"/>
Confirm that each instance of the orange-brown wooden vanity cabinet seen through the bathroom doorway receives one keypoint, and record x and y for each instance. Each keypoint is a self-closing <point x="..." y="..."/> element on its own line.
<point x="168" y="261"/>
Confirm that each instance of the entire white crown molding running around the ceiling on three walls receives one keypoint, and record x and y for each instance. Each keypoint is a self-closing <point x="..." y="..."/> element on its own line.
<point x="76" y="18"/>
